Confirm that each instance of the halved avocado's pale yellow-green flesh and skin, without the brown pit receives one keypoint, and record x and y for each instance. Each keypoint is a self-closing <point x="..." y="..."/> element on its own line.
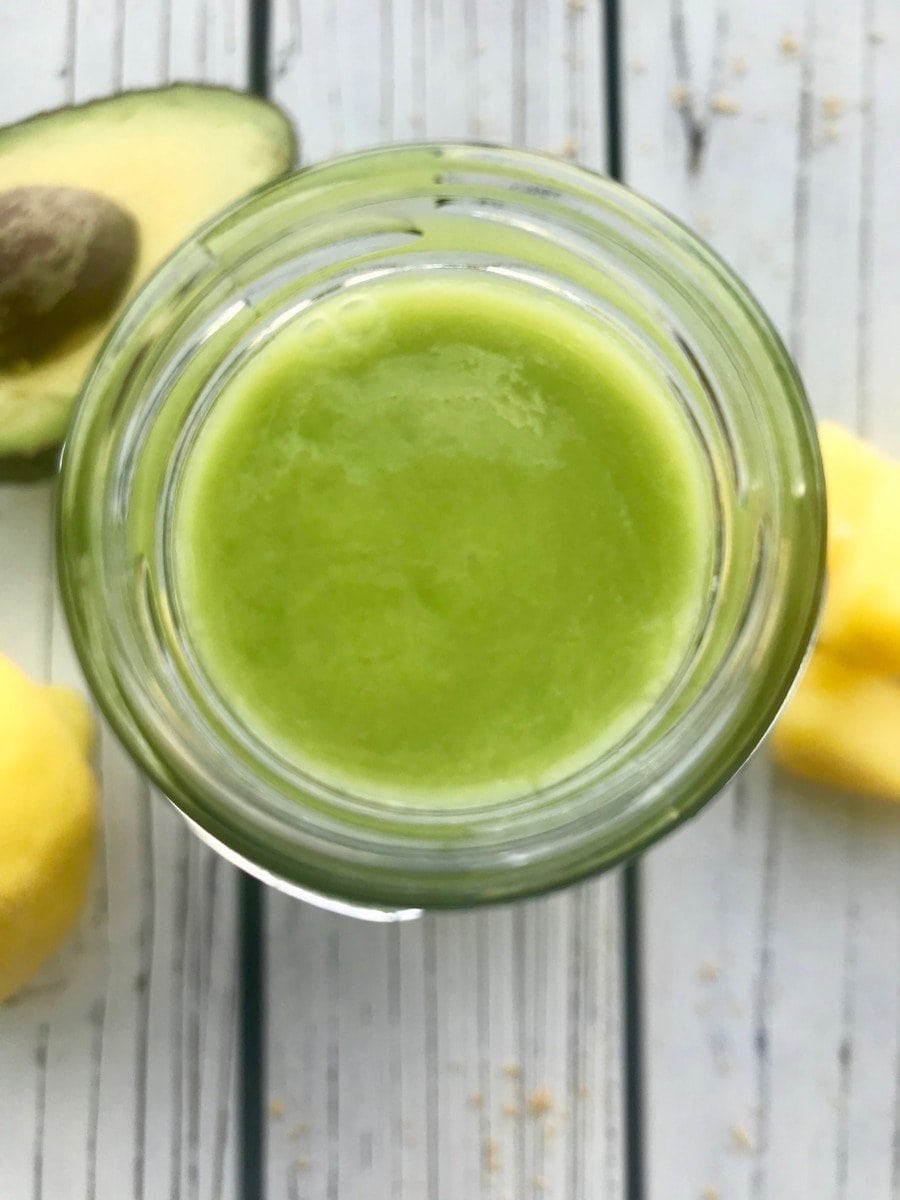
<point x="169" y="159"/>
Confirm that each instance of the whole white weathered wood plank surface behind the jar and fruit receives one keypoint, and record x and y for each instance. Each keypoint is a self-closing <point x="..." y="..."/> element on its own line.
<point x="399" y="1058"/>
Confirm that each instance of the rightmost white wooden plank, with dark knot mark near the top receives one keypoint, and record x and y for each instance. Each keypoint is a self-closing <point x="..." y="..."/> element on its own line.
<point x="772" y="951"/>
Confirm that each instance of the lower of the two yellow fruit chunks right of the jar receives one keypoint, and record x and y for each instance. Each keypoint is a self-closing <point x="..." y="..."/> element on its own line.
<point x="843" y="728"/>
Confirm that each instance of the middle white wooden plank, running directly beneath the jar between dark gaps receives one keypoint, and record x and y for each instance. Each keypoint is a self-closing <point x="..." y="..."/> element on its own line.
<point x="412" y="1053"/>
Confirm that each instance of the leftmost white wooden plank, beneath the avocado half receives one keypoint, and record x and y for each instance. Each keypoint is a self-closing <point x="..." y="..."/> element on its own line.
<point x="117" y="1066"/>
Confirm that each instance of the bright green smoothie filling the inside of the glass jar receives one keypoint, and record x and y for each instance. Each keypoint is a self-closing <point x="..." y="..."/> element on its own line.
<point x="443" y="539"/>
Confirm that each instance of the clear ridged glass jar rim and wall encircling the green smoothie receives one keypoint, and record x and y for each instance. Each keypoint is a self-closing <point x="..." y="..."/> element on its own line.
<point x="334" y="227"/>
